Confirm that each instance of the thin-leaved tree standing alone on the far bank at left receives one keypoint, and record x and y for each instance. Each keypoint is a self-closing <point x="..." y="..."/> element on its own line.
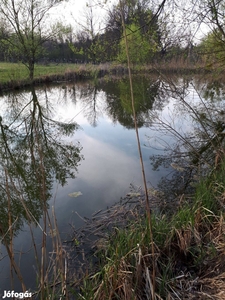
<point x="27" y="27"/>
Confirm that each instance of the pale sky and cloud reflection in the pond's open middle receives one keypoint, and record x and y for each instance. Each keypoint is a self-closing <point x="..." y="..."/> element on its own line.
<point x="110" y="164"/>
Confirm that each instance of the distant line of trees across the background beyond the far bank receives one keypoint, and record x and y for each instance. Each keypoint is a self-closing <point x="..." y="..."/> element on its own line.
<point x="25" y="35"/>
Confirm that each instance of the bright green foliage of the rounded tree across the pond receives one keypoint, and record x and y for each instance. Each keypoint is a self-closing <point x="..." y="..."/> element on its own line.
<point x="142" y="32"/>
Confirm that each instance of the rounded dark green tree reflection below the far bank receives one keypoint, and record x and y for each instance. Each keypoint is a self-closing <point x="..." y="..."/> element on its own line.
<point x="146" y="91"/>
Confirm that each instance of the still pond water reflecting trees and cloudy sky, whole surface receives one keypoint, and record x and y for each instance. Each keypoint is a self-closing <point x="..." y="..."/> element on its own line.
<point x="73" y="146"/>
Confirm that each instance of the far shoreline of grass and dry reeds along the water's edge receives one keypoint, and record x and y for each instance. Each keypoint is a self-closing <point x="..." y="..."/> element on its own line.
<point x="73" y="73"/>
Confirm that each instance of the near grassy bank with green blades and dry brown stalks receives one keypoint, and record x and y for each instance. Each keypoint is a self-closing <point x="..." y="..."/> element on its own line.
<point x="189" y="251"/>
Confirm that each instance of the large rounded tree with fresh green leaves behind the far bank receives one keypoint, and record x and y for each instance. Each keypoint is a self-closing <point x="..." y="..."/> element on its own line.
<point x="142" y="30"/>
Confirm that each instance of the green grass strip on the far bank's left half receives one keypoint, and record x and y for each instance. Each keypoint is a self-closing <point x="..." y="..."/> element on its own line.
<point x="15" y="75"/>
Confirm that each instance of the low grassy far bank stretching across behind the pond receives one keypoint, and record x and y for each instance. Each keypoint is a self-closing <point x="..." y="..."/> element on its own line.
<point x="15" y="75"/>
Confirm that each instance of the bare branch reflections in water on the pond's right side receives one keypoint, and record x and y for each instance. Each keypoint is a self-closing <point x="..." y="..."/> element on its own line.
<point x="192" y="134"/>
